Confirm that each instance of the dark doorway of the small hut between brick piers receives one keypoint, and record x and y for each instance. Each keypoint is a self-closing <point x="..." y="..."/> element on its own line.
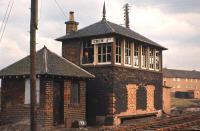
<point x="58" y="107"/>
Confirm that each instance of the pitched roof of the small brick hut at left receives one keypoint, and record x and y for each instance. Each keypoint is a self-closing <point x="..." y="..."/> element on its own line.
<point x="47" y="62"/>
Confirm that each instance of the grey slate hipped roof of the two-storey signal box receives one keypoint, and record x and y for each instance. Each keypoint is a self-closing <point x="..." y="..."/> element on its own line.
<point x="105" y="27"/>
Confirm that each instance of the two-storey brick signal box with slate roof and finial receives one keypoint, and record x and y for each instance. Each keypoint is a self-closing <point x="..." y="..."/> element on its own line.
<point x="127" y="68"/>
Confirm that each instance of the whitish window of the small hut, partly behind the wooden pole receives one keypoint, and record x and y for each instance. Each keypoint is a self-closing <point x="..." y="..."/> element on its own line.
<point x="28" y="91"/>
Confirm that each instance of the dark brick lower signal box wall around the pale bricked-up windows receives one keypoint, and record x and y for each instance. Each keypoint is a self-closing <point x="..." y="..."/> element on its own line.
<point x="142" y="79"/>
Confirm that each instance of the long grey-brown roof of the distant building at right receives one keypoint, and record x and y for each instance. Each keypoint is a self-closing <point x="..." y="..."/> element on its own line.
<point x="172" y="73"/>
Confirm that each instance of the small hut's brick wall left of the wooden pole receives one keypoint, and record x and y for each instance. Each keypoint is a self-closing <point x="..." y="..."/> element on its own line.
<point x="12" y="99"/>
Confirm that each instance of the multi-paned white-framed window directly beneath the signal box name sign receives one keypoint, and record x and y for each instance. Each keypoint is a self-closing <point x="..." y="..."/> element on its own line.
<point x="104" y="53"/>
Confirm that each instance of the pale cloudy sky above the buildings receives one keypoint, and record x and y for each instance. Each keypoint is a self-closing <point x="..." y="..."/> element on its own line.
<point x="175" y="24"/>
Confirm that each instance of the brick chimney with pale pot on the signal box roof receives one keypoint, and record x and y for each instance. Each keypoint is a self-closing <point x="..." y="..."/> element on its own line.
<point x="71" y="25"/>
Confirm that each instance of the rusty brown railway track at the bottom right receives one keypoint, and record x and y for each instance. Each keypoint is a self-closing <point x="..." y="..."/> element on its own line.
<point x="165" y="124"/>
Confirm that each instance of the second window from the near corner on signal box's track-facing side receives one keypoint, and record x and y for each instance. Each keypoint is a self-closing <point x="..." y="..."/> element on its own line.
<point x="127" y="53"/>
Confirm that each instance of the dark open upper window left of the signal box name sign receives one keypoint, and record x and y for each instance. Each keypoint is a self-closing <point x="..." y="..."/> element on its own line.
<point x="88" y="52"/>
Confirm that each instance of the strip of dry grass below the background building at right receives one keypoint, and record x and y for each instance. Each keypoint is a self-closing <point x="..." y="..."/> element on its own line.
<point x="185" y="103"/>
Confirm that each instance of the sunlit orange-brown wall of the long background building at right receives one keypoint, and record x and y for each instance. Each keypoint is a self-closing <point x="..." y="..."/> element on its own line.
<point x="183" y="84"/>
